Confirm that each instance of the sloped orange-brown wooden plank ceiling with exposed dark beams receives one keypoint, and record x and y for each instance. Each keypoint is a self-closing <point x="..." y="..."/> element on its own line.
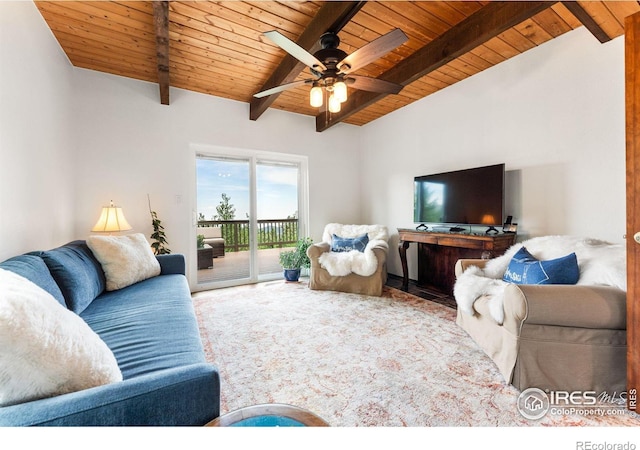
<point x="217" y="48"/>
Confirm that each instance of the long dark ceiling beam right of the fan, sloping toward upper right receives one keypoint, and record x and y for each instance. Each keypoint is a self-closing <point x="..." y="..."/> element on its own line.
<point x="486" y="23"/>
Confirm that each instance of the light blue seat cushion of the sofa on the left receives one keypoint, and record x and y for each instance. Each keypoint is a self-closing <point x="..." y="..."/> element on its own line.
<point x="149" y="326"/>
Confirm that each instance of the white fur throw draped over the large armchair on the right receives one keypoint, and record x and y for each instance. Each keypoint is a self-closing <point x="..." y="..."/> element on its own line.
<point x="600" y="263"/>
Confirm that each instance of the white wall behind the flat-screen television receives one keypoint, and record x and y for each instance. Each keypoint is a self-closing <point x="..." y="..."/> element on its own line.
<point x="554" y="115"/>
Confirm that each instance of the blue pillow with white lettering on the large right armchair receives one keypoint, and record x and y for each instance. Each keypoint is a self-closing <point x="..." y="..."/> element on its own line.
<point x="525" y="268"/>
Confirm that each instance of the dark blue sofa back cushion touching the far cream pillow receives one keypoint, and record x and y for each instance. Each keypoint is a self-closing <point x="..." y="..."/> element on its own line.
<point x="77" y="273"/>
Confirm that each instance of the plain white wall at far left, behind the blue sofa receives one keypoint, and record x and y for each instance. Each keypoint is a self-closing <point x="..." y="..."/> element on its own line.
<point x="37" y="169"/>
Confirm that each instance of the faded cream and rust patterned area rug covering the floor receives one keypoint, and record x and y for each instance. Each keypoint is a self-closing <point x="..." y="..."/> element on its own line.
<point x="355" y="360"/>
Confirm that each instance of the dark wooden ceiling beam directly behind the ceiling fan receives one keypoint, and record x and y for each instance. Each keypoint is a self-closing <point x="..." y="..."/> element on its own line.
<point x="332" y="16"/>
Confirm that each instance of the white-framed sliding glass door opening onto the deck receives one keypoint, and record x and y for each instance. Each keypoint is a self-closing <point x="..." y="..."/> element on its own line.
<point x="248" y="210"/>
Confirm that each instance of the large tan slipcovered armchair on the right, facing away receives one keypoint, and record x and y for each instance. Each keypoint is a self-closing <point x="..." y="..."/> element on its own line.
<point x="555" y="337"/>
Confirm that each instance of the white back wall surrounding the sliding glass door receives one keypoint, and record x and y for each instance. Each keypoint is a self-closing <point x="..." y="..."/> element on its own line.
<point x="129" y="145"/>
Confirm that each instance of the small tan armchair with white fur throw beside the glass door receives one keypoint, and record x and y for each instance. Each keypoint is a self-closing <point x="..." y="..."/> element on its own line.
<point x="350" y="271"/>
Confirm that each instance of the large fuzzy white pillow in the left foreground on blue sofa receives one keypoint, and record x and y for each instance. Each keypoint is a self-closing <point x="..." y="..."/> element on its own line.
<point x="45" y="349"/>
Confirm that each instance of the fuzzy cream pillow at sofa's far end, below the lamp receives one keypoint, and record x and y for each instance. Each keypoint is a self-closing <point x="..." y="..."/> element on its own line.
<point x="125" y="259"/>
